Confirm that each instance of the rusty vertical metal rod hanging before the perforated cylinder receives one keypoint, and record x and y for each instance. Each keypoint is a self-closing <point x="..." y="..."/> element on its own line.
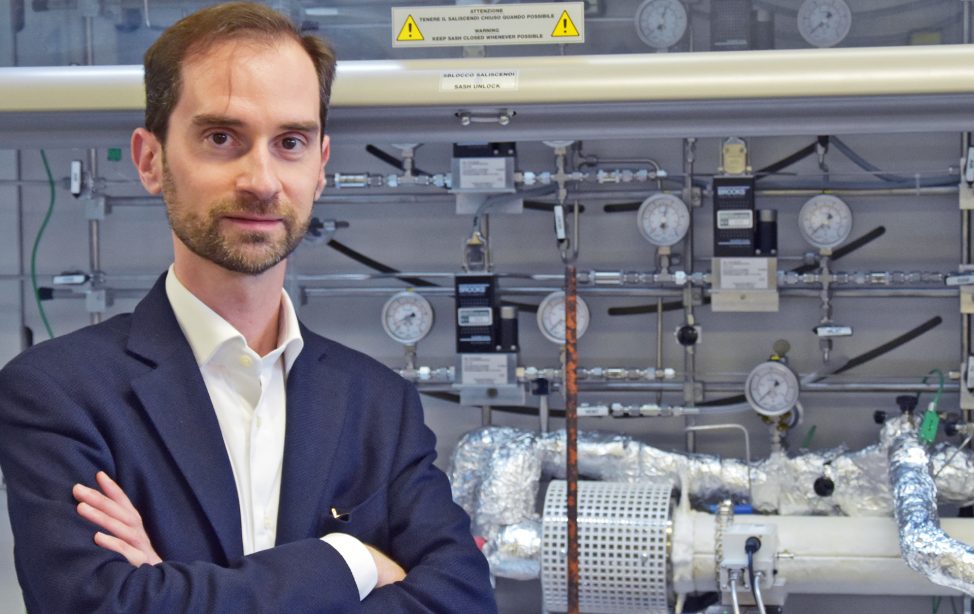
<point x="571" y="431"/>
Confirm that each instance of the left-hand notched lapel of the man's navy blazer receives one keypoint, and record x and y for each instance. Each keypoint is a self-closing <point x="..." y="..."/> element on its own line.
<point x="176" y="400"/>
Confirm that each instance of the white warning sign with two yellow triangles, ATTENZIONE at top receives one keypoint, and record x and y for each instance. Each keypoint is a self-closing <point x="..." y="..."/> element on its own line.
<point x="496" y="24"/>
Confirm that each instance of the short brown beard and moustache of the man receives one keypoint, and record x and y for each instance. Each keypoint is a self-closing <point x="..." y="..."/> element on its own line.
<point x="251" y="253"/>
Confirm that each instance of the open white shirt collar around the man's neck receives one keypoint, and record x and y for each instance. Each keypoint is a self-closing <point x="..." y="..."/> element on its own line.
<point x="206" y="331"/>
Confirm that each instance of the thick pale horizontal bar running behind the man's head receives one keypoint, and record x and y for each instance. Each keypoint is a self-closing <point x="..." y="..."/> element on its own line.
<point x="847" y="72"/>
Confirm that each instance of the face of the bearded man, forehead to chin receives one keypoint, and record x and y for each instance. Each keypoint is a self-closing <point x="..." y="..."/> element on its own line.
<point x="243" y="159"/>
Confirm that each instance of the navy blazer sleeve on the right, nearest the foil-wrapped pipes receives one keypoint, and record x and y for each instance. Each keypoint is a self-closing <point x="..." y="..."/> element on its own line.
<point x="429" y="534"/>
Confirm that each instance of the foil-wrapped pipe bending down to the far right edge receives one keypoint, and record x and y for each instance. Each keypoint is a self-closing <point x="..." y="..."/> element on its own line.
<point x="924" y="545"/>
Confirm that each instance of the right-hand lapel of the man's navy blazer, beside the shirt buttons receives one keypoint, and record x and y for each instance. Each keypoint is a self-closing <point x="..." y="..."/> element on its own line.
<point x="316" y="409"/>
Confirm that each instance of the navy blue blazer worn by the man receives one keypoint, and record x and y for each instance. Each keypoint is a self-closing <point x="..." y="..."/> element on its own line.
<point x="127" y="397"/>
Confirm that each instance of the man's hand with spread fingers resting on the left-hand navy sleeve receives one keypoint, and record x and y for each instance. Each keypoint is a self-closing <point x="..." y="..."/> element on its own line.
<point x="111" y="510"/>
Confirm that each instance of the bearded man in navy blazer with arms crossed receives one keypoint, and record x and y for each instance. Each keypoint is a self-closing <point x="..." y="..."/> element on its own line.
<point x="257" y="466"/>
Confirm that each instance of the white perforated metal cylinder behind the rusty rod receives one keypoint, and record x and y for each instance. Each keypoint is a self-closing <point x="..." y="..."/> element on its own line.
<point x="623" y="534"/>
